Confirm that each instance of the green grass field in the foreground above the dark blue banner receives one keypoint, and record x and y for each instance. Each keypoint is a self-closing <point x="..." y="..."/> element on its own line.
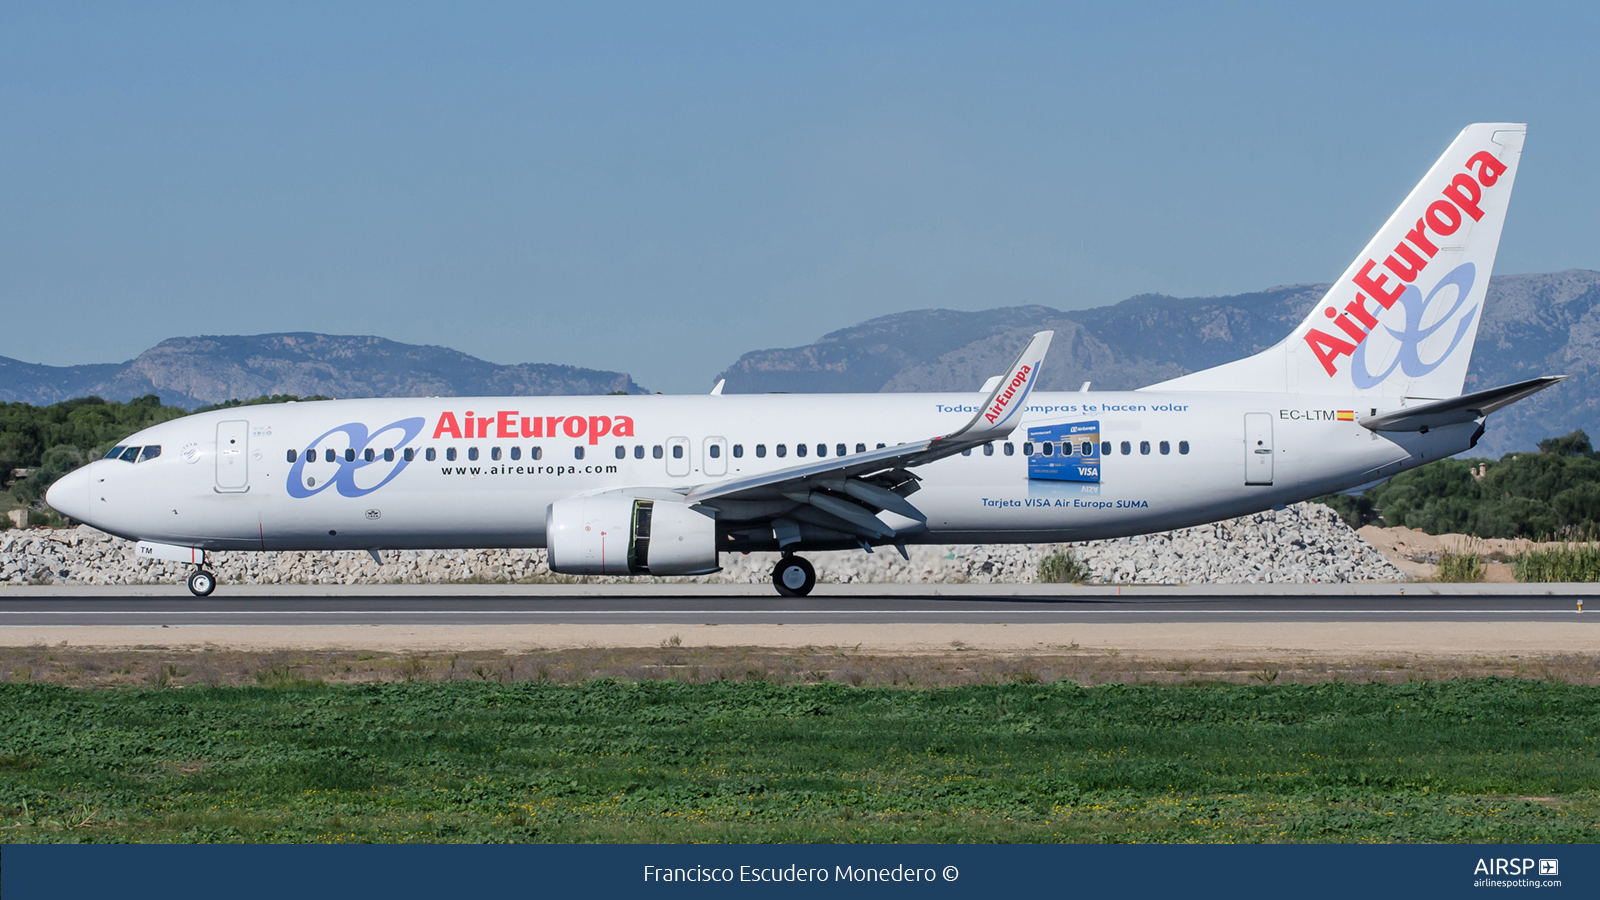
<point x="1487" y="761"/>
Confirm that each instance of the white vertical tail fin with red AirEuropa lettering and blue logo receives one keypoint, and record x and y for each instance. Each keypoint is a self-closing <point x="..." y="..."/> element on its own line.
<point x="1402" y="319"/>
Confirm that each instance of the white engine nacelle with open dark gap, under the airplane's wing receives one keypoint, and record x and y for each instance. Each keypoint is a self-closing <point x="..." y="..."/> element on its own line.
<point x="625" y="536"/>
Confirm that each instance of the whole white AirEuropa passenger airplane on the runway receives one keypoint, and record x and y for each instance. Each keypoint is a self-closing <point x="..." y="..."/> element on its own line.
<point x="1367" y="387"/>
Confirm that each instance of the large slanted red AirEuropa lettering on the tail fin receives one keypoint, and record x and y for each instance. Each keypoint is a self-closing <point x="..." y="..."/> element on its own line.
<point x="1410" y="259"/>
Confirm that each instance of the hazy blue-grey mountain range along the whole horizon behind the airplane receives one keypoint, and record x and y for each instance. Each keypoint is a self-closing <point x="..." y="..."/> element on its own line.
<point x="1546" y="324"/>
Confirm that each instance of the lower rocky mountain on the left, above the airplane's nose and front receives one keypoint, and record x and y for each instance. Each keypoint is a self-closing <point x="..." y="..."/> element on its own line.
<point x="194" y="372"/>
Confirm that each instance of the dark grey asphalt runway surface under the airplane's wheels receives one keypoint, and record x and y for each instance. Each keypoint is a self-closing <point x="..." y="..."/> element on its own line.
<point x="242" y="608"/>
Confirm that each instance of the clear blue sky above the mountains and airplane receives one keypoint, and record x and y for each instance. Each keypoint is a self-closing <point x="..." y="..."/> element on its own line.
<point x="660" y="188"/>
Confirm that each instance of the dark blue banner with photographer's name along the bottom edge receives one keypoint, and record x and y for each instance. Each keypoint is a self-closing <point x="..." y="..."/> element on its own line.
<point x="345" y="872"/>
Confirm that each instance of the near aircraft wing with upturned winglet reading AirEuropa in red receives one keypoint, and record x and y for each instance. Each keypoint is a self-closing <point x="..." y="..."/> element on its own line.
<point x="842" y="497"/>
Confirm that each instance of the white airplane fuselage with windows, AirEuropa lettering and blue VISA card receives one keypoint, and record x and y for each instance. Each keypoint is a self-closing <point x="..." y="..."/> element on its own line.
<point x="1159" y="460"/>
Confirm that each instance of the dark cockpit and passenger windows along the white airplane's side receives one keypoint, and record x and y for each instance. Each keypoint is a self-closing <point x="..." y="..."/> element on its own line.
<point x="782" y="451"/>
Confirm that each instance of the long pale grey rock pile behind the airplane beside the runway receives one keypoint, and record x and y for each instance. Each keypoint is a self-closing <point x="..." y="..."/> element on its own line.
<point x="1303" y="544"/>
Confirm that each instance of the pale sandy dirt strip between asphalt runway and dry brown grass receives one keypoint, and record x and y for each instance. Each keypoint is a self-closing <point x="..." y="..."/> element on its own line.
<point x="1356" y="640"/>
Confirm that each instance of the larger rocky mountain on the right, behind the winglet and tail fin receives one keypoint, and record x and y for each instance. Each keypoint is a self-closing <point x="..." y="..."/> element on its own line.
<point x="1532" y="326"/>
